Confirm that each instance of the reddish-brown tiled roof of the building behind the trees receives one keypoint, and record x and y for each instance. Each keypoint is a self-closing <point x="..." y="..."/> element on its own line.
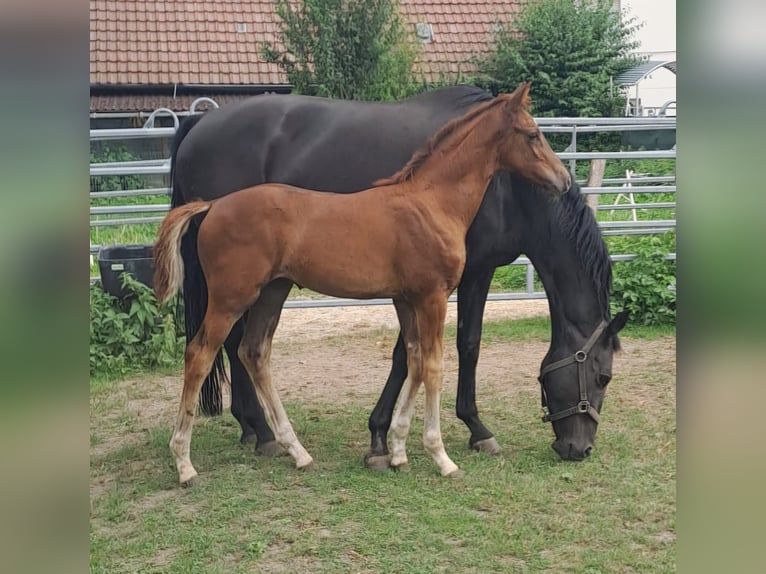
<point x="186" y="42"/>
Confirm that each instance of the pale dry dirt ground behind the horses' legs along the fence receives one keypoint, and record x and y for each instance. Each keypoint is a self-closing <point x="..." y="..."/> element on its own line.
<point x="343" y="354"/>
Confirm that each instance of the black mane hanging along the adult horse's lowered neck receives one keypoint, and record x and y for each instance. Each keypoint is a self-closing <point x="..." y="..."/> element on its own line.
<point x="575" y="218"/>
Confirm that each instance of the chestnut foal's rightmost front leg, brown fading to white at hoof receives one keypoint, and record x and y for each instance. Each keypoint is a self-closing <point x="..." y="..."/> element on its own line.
<point x="430" y="316"/>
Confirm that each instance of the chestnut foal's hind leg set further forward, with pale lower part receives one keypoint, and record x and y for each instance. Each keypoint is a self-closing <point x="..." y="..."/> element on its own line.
<point x="255" y="354"/>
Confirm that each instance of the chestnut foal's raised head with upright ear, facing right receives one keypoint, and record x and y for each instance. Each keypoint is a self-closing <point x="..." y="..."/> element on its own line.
<point x="524" y="150"/>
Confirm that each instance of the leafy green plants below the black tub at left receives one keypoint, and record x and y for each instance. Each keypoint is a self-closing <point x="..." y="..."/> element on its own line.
<point x="132" y="333"/>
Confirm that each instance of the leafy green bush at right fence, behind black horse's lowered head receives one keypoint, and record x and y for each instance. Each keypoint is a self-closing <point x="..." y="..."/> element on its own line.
<point x="646" y="286"/>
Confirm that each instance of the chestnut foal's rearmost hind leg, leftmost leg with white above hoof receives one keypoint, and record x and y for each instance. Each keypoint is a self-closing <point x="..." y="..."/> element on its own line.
<point x="198" y="360"/>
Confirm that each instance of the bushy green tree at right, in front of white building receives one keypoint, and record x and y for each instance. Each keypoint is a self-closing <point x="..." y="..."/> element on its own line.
<point x="570" y="51"/>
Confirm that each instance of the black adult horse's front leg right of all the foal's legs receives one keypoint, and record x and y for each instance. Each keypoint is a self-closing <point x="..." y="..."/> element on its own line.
<point x="471" y="300"/>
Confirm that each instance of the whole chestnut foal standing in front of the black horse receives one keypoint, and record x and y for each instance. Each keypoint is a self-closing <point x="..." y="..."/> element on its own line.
<point x="403" y="239"/>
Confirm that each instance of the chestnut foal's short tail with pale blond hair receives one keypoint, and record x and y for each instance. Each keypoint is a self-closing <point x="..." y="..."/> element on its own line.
<point x="168" y="264"/>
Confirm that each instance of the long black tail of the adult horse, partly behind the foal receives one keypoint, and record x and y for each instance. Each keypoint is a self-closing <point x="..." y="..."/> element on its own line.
<point x="194" y="286"/>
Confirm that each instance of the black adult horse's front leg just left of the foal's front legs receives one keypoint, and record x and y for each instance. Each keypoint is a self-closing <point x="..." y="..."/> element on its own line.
<point x="377" y="458"/>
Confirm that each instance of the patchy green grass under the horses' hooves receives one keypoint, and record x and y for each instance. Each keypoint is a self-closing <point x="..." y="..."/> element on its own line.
<point x="522" y="511"/>
